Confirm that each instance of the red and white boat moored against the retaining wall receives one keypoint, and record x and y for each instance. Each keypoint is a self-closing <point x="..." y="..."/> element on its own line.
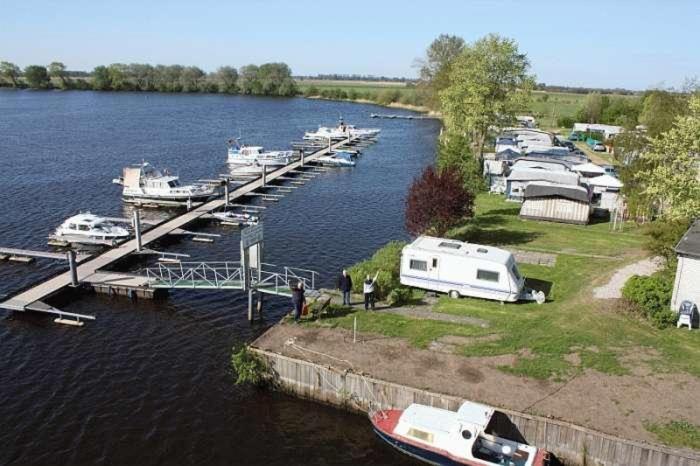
<point x="441" y="437"/>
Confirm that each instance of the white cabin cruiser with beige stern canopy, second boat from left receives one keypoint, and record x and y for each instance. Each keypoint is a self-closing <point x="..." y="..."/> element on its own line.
<point x="143" y="184"/>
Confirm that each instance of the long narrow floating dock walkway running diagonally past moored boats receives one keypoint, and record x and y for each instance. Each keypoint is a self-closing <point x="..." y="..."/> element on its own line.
<point x="90" y="270"/>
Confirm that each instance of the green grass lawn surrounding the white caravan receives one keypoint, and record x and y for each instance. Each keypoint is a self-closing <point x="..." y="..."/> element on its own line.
<point x="544" y="336"/>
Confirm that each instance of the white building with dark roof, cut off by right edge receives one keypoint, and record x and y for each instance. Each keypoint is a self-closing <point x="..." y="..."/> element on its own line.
<point x="687" y="284"/>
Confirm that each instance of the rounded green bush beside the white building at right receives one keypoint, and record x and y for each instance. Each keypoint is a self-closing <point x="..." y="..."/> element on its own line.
<point x="651" y="297"/>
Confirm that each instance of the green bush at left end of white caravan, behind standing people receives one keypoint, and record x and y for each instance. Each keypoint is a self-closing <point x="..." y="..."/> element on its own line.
<point x="386" y="261"/>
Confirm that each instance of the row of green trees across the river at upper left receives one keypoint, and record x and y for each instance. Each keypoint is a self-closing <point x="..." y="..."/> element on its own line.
<point x="273" y="79"/>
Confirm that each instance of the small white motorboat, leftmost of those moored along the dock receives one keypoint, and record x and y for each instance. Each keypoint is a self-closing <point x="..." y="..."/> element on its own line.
<point x="86" y="228"/>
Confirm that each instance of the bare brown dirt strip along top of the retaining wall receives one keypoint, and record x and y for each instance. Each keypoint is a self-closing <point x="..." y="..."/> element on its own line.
<point x="617" y="405"/>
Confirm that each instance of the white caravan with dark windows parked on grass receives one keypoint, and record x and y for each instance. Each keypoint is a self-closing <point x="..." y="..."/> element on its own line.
<point x="464" y="269"/>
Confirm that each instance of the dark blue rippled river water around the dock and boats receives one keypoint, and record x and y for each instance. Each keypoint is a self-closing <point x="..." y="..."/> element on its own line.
<point x="150" y="382"/>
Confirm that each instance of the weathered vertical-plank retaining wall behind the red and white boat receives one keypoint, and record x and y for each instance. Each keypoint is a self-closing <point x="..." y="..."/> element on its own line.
<point x="567" y="441"/>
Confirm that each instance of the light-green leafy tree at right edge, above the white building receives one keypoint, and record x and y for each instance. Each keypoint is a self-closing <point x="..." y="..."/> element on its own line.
<point x="671" y="176"/>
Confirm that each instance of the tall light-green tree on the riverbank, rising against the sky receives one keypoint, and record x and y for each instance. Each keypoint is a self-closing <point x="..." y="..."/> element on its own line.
<point x="489" y="85"/>
